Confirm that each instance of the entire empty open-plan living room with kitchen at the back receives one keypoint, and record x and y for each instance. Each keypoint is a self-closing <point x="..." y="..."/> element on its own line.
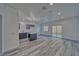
<point x="39" y="29"/>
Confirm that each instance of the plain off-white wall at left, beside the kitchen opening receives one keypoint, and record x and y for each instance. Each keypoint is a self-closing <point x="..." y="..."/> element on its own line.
<point x="10" y="38"/>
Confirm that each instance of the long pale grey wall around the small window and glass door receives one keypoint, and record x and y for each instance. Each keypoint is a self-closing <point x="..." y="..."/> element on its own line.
<point x="70" y="27"/>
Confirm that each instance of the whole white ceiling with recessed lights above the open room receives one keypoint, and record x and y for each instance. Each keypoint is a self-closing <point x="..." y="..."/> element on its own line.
<point x="54" y="12"/>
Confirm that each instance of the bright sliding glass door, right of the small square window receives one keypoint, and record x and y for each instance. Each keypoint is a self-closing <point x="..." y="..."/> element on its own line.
<point x="57" y="31"/>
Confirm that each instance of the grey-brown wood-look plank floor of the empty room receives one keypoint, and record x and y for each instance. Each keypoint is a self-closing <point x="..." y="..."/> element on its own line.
<point x="47" y="48"/>
